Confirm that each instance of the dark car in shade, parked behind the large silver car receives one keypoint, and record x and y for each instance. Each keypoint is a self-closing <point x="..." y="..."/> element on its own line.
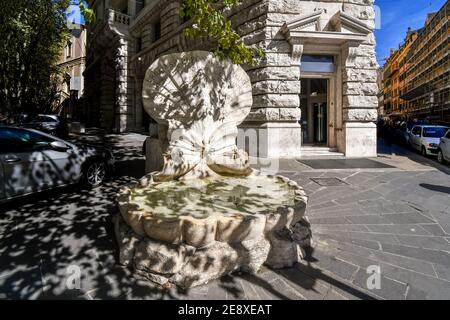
<point x="48" y="123"/>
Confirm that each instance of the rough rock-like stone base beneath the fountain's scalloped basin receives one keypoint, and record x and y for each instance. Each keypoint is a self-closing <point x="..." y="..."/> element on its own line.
<point x="186" y="266"/>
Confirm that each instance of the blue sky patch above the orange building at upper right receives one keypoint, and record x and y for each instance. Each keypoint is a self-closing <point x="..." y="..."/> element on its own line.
<point x="396" y="16"/>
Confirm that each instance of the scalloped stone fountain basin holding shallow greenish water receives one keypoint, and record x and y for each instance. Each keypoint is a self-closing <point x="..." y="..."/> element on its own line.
<point x="201" y="211"/>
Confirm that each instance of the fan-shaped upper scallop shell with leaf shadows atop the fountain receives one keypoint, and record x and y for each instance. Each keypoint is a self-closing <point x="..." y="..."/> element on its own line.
<point x="192" y="86"/>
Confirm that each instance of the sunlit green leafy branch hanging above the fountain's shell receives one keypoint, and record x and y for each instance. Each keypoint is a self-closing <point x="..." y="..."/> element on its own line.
<point x="209" y="21"/>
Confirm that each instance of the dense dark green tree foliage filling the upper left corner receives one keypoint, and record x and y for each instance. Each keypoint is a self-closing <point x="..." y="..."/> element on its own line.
<point x="33" y="34"/>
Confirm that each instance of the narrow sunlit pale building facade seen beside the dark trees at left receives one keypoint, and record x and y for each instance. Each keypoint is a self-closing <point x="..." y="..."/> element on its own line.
<point x="73" y="61"/>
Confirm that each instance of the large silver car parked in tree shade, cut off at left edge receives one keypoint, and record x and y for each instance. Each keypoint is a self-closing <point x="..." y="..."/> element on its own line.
<point x="32" y="161"/>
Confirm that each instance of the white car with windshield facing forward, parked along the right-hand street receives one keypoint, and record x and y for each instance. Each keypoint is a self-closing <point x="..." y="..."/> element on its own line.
<point x="426" y="138"/>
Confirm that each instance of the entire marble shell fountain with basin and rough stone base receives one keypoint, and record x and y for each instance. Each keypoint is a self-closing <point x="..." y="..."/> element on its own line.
<point x="206" y="213"/>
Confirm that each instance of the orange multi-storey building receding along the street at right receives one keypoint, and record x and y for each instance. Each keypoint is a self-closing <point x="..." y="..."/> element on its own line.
<point x="417" y="76"/>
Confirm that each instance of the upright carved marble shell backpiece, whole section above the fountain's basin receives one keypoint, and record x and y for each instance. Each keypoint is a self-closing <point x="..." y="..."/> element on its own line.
<point x="202" y="100"/>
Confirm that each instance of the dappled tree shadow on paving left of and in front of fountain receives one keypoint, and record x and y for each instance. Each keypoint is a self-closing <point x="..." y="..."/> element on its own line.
<point x="45" y="239"/>
